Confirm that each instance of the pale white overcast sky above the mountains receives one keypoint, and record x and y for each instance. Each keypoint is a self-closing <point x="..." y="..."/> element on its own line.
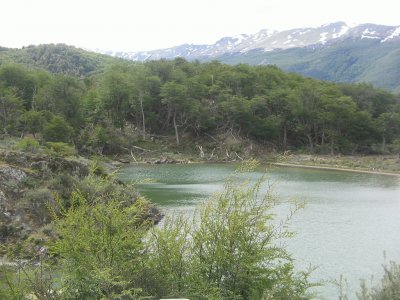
<point x="130" y="25"/>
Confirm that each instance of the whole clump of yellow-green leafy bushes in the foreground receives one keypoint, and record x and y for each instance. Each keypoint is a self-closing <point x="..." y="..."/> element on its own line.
<point x="229" y="250"/>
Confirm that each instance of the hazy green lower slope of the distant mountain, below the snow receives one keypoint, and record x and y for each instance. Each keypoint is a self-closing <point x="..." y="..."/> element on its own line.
<point x="366" y="60"/>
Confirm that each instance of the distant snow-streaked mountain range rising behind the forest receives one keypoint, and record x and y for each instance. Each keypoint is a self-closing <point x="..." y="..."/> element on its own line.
<point x="336" y="52"/>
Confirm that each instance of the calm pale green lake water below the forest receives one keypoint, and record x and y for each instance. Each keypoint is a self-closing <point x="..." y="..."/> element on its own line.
<point x="349" y="221"/>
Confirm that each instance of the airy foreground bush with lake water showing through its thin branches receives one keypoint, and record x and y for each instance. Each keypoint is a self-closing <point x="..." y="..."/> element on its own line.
<point x="228" y="251"/>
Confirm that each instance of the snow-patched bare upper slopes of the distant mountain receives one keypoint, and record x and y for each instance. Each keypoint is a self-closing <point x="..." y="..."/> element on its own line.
<point x="268" y="40"/>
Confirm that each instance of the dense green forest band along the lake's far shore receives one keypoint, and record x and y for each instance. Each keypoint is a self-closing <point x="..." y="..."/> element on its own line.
<point x="192" y="100"/>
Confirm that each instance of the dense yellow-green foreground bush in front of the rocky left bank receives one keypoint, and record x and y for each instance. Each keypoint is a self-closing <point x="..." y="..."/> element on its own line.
<point x="101" y="248"/>
